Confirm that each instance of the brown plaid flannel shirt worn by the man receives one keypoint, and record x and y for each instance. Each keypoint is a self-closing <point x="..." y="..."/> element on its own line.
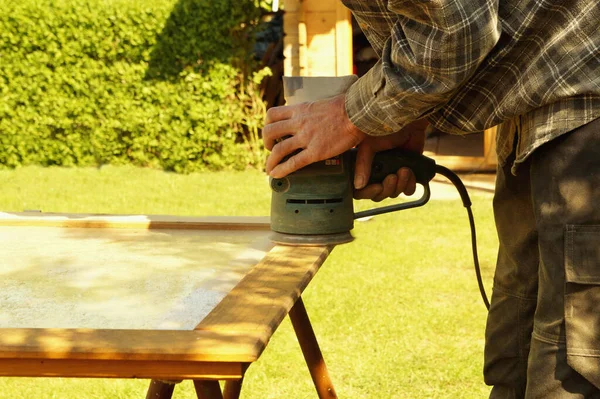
<point x="468" y="65"/>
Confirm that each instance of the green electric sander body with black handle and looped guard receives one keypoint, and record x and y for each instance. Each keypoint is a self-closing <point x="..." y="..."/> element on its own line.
<point x="314" y="205"/>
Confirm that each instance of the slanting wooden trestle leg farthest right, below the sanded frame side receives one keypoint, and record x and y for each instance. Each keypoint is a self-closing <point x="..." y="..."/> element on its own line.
<point x="310" y="350"/>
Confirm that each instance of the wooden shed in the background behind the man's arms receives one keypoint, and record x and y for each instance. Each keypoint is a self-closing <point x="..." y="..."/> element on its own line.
<point x="322" y="39"/>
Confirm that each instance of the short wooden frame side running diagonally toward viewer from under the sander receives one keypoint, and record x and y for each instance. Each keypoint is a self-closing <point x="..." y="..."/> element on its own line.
<point x="264" y="297"/>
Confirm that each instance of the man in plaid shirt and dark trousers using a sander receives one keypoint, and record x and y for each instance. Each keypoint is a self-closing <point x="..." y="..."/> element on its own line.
<point x="532" y="67"/>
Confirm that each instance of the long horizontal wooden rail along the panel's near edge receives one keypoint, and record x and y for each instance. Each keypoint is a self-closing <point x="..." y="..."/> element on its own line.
<point x="130" y="345"/>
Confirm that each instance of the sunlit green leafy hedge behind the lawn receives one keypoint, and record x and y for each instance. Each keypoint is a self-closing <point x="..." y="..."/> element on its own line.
<point x="162" y="83"/>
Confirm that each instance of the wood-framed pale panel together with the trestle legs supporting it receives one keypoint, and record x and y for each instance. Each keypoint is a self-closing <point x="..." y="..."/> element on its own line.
<point x="162" y="298"/>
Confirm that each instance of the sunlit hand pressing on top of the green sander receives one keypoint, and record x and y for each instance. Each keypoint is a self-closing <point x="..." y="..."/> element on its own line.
<point x="320" y="129"/>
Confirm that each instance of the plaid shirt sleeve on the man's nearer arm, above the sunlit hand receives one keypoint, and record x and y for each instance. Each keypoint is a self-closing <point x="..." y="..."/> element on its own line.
<point x="427" y="50"/>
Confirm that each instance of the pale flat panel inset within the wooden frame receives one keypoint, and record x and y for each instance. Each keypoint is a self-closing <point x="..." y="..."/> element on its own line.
<point x="119" y="278"/>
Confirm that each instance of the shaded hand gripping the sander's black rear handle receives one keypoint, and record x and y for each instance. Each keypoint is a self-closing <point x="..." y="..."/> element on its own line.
<point x="411" y="137"/>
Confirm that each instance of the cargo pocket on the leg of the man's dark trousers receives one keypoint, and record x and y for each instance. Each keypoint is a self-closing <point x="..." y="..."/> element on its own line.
<point x="582" y="300"/>
